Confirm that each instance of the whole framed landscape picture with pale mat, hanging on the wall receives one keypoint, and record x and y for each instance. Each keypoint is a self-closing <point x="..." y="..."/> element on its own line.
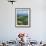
<point x="22" y="17"/>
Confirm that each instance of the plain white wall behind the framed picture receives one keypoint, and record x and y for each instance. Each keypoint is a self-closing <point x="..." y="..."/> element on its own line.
<point x="8" y="31"/>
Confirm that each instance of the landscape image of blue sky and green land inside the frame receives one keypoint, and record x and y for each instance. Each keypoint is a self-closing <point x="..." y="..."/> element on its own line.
<point x="22" y="17"/>
